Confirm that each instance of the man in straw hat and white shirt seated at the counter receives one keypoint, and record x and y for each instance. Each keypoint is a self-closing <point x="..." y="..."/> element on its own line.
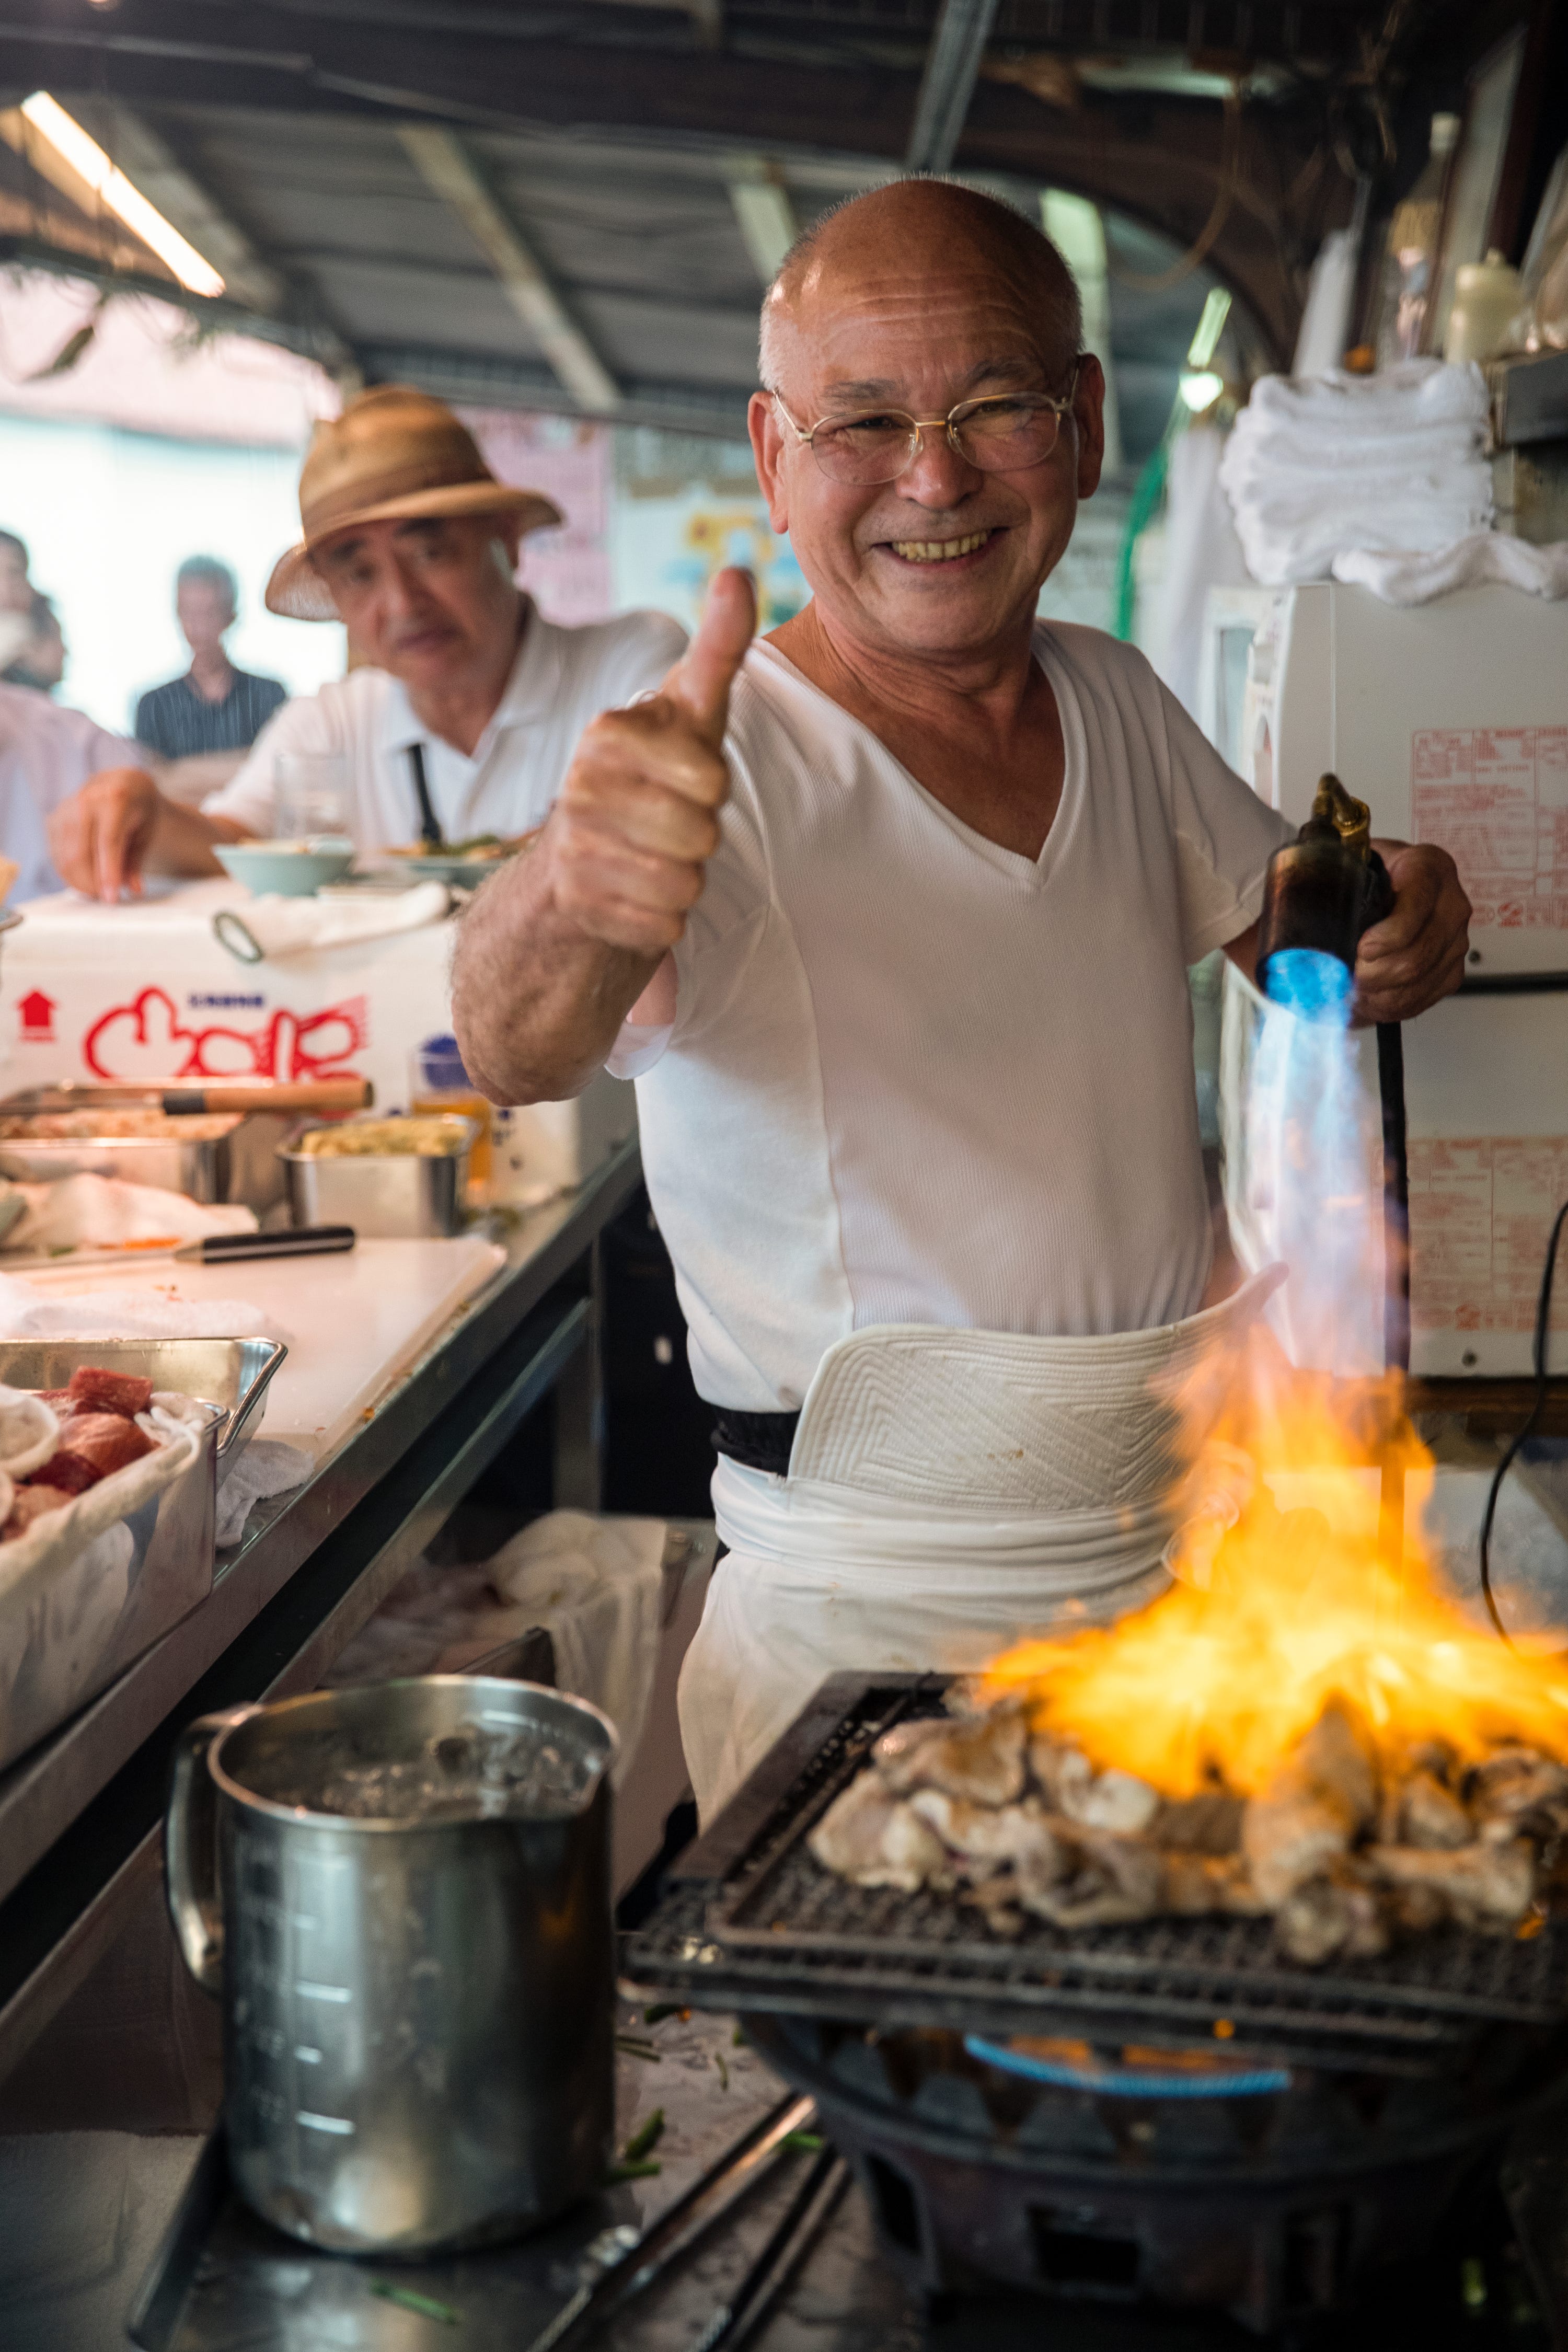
<point x="469" y="704"/>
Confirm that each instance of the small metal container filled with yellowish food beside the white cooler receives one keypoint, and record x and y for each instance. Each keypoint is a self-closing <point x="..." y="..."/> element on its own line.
<point x="389" y="1180"/>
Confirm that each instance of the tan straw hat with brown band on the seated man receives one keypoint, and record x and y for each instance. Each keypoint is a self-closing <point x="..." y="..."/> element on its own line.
<point x="391" y="455"/>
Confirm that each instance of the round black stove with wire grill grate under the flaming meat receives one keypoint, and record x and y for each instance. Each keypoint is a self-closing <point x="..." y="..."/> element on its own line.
<point x="1160" y="2113"/>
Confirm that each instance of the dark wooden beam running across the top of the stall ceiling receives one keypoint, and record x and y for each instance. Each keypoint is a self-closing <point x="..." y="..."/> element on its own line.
<point x="1160" y="161"/>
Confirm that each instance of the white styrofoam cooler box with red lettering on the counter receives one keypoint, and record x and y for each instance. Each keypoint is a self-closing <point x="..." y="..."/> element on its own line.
<point x="145" y="994"/>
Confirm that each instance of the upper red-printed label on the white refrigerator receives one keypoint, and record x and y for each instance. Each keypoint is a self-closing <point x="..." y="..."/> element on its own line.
<point x="1499" y="801"/>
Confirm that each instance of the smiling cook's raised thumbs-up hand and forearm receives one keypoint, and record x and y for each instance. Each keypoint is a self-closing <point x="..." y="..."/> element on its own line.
<point x="563" y="944"/>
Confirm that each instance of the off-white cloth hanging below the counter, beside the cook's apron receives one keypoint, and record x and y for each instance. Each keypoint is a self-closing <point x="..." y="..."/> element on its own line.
<point x="596" y="1586"/>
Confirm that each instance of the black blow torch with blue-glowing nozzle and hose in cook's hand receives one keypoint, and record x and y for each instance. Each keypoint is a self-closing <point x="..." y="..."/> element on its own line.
<point x="1320" y="895"/>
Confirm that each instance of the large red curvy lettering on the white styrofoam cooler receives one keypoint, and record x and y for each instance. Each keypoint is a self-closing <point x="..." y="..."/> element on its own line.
<point x="147" y="1041"/>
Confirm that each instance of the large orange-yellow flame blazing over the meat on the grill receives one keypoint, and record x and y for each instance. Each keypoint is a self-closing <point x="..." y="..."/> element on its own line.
<point x="1282" y="1610"/>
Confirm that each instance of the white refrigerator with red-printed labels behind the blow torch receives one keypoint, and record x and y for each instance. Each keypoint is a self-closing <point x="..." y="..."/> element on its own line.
<point x="1452" y="721"/>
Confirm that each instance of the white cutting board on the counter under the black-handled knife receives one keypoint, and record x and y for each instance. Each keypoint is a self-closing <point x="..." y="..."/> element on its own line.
<point x="351" y="1323"/>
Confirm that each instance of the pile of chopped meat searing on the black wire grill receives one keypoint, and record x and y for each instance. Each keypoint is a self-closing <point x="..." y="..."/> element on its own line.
<point x="1348" y="1850"/>
